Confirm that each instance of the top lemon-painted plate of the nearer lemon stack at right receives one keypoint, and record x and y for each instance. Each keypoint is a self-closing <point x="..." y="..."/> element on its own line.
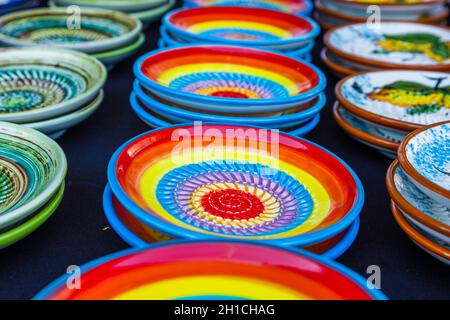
<point x="403" y="100"/>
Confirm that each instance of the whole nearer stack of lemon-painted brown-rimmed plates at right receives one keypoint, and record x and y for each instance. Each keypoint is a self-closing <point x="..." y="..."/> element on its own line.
<point x="380" y="108"/>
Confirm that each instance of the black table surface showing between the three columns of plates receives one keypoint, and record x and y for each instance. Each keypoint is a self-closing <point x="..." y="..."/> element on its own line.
<point x="79" y="232"/>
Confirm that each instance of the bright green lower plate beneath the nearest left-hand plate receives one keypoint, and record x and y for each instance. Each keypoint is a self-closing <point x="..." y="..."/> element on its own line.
<point x="24" y="229"/>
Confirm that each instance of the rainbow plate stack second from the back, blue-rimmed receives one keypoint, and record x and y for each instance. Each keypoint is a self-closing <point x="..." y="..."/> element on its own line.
<point x="254" y="27"/>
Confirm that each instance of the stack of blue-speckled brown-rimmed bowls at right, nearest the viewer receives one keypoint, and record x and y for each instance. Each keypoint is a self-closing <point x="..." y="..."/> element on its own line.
<point x="419" y="185"/>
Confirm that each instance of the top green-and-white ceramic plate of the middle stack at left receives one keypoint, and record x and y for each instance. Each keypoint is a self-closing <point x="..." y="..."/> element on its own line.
<point x="36" y="86"/>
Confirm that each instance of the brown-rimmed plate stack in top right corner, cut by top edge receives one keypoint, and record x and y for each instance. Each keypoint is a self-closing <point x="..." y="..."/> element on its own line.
<point x="332" y="13"/>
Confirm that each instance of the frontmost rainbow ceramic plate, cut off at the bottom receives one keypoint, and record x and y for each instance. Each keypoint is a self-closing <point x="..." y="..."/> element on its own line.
<point x="213" y="270"/>
